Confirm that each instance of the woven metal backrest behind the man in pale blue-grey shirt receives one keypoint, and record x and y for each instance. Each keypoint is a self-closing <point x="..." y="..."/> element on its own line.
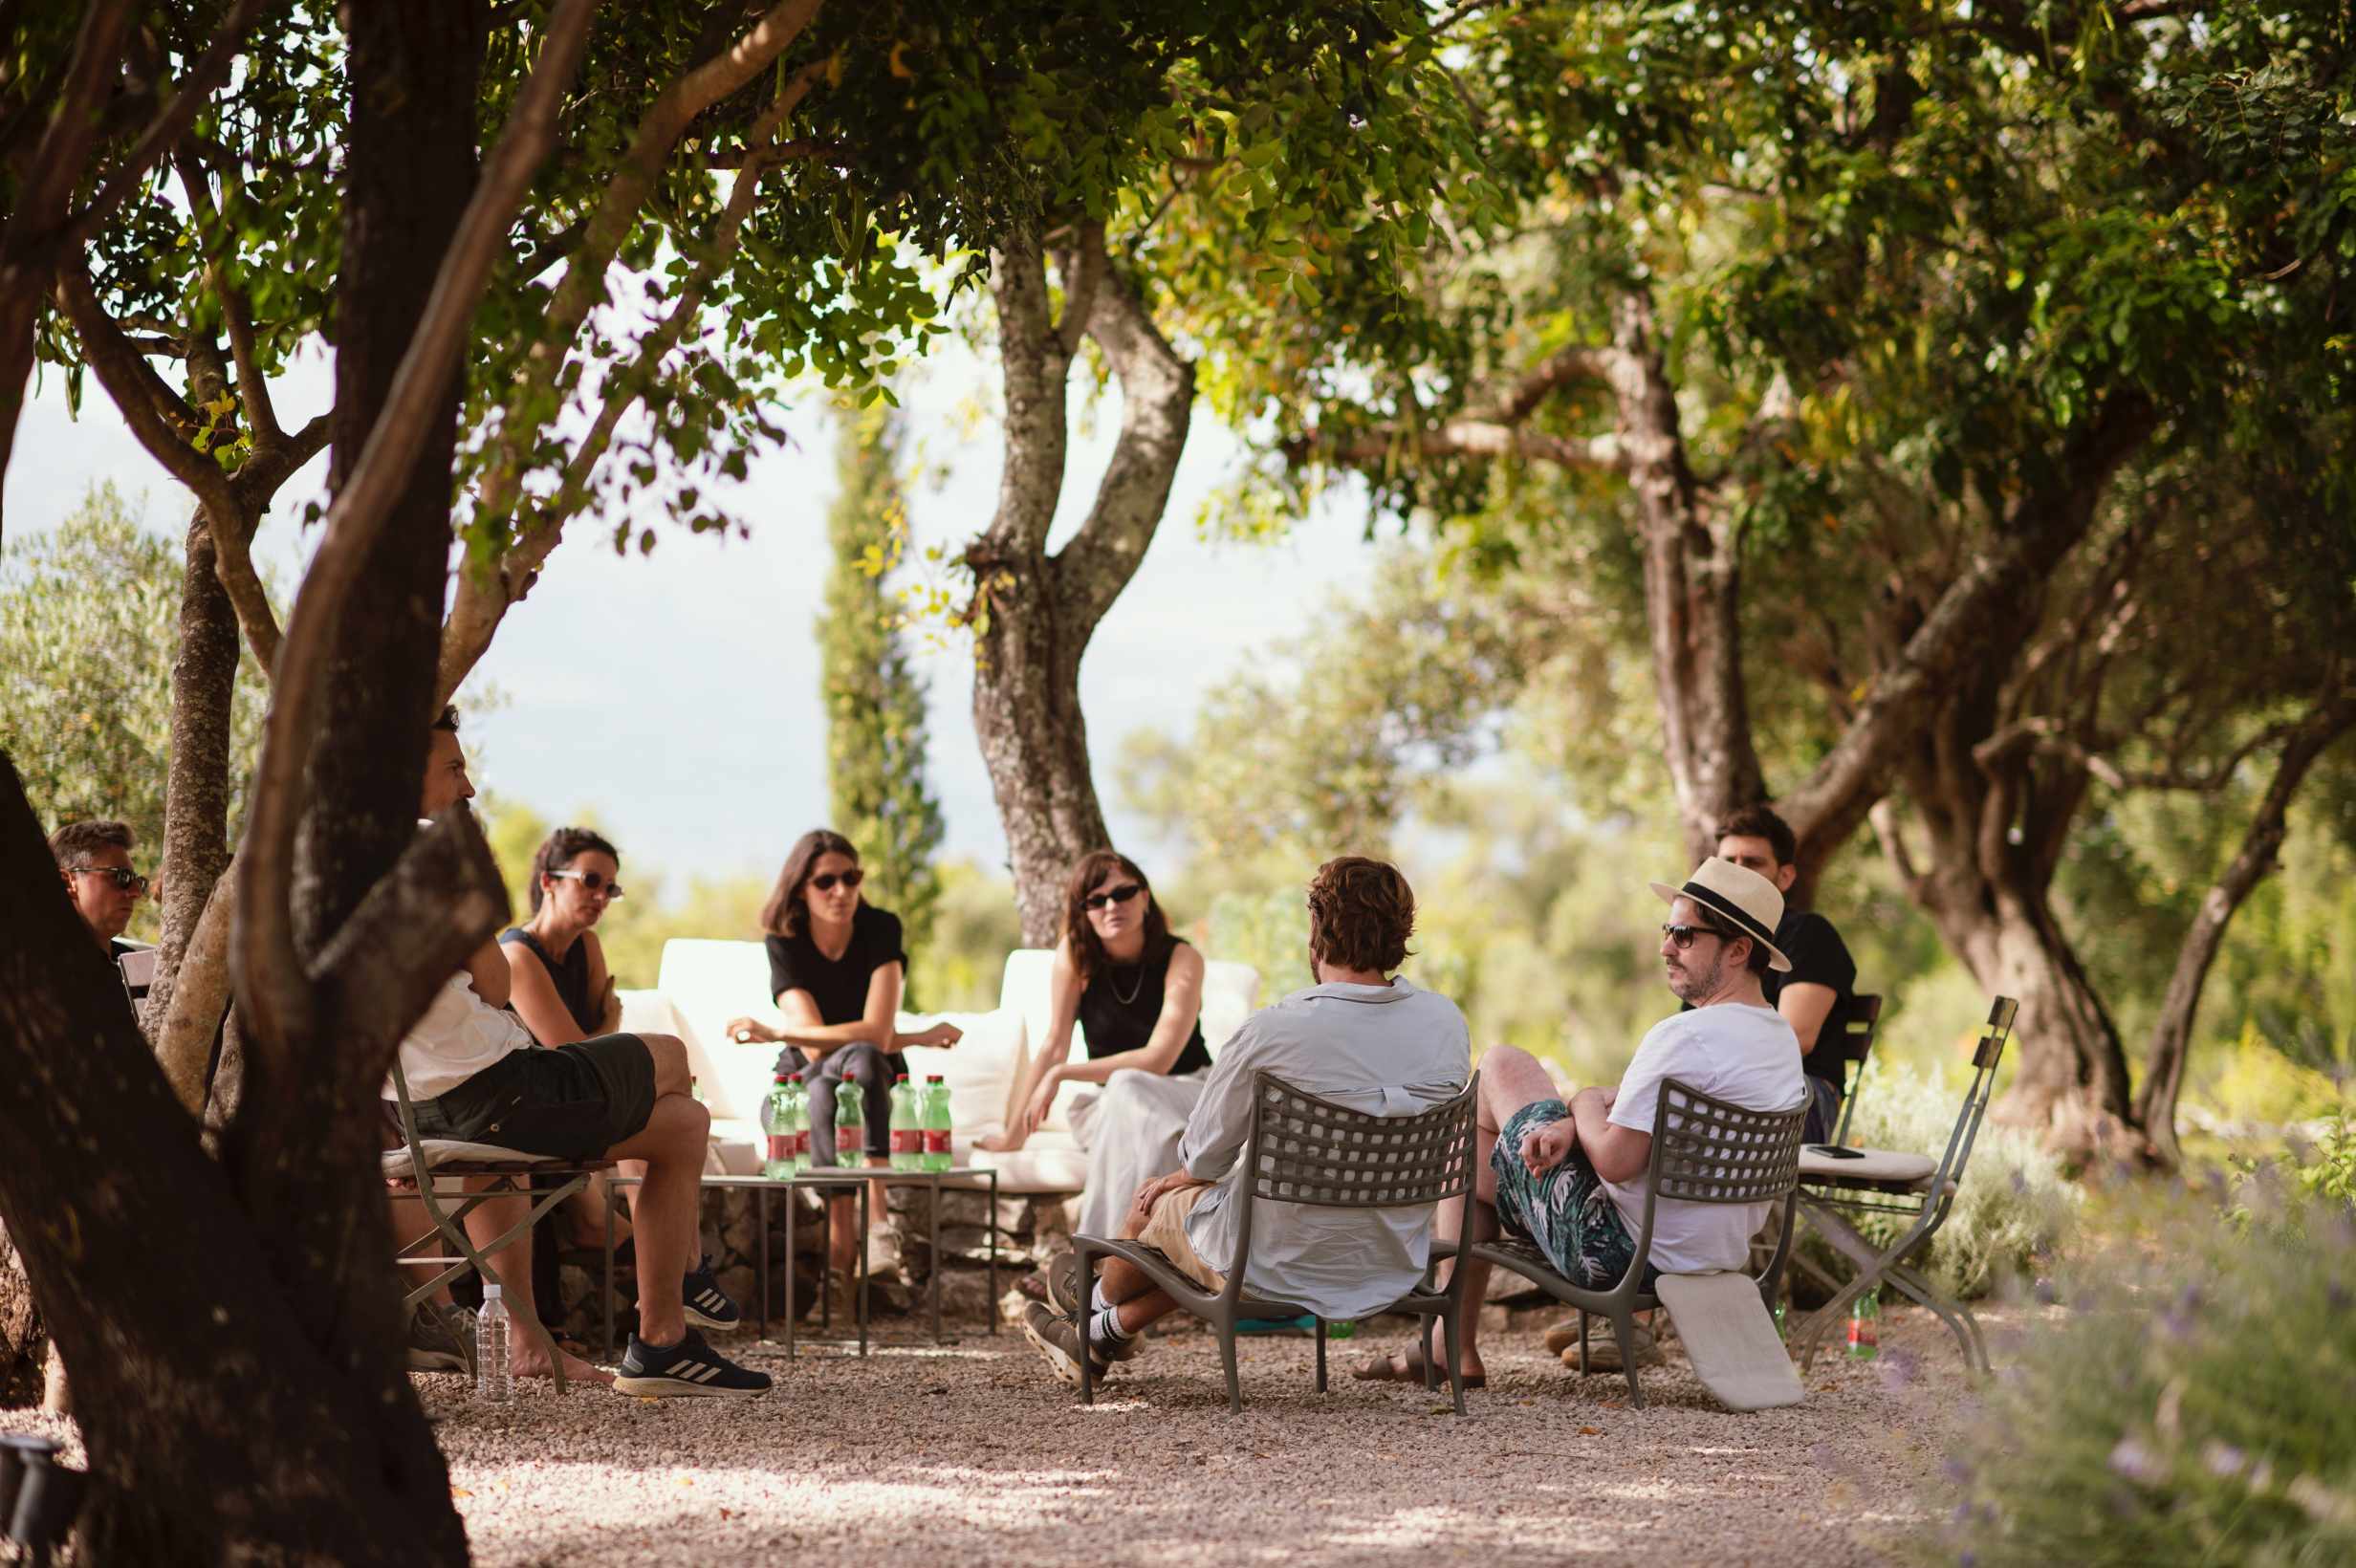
<point x="1309" y="1150"/>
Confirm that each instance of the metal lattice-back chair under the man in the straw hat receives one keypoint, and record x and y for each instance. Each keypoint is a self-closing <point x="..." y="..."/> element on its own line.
<point x="1705" y="1150"/>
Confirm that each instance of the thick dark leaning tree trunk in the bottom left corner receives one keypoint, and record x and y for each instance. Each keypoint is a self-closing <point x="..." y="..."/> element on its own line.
<point x="218" y="1428"/>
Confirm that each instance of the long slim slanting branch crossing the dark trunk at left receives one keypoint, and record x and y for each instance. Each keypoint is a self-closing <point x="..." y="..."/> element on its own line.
<point x="265" y="962"/>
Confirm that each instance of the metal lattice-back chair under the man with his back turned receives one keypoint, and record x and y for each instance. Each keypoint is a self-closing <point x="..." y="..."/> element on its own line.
<point x="1309" y="1150"/>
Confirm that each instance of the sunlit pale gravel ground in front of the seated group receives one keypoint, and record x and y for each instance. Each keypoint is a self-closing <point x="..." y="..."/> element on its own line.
<point x="974" y="1454"/>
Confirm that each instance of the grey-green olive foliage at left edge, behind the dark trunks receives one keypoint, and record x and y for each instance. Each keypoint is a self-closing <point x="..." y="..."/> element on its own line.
<point x="88" y="634"/>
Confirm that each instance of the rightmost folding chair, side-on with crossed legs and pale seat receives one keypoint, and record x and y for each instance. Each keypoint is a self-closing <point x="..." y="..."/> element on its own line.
<point x="1907" y="1185"/>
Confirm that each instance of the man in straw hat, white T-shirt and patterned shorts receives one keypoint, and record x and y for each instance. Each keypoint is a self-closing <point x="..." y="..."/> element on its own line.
<point x="1573" y="1176"/>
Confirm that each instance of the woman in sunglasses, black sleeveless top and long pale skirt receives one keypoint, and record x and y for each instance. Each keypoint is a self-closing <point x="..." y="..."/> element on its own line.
<point x="1134" y="990"/>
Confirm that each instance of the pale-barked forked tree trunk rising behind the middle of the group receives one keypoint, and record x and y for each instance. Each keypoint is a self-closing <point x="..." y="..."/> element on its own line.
<point x="1035" y="613"/>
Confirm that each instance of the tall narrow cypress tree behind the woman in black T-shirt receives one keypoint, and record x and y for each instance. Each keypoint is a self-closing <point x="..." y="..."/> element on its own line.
<point x="875" y="703"/>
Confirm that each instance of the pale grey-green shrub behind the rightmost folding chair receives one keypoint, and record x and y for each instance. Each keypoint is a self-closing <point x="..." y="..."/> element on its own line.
<point x="2013" y="1204"/>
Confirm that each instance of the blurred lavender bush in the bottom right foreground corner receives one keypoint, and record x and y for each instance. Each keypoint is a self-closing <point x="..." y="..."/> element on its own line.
<point x="2192" y="1404"/>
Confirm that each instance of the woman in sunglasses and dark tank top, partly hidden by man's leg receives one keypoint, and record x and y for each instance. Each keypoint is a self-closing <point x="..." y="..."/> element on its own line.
<point x="564" y="995"/>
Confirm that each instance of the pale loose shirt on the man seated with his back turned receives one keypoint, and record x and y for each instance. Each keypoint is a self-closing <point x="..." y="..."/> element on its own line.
<point x="1391" y="1051"/>
